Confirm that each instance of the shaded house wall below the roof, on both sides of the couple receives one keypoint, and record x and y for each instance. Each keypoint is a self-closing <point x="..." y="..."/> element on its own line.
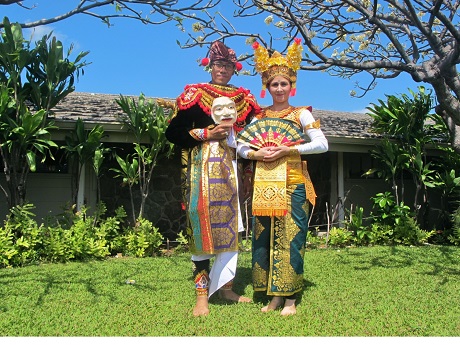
<point x="50" y="192"/>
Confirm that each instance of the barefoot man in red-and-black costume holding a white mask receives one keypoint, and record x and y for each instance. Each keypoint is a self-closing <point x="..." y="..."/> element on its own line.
<point x="210" y="183"/>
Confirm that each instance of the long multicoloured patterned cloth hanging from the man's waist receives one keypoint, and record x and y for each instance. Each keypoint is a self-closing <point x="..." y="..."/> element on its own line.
<point x="213" y="207"/>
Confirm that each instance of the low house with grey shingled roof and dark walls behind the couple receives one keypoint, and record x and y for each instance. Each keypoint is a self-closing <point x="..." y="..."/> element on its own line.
<point x="337" y="174"/>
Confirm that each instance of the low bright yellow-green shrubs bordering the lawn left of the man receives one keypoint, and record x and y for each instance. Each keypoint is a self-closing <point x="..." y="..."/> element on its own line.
<point x="73" y="236"/>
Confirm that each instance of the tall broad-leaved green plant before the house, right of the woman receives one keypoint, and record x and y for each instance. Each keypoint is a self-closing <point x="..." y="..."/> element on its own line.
<point x="409" y="130"/>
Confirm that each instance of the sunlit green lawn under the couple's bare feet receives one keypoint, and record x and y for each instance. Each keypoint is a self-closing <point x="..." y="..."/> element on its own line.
<point x="368" y="291"/>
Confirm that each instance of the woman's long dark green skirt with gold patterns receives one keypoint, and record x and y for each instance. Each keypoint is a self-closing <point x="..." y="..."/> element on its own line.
<point x="278" y="247"/>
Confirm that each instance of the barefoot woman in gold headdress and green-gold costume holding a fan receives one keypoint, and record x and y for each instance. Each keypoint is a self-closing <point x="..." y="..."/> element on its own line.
<point x="277" y="141"/>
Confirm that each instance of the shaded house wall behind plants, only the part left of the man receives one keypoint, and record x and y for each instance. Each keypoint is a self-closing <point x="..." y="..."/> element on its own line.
<point x="51" y="193"/>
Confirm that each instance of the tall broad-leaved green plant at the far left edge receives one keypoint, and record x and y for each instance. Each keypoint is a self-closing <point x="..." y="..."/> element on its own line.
<point x="32" y="81"/>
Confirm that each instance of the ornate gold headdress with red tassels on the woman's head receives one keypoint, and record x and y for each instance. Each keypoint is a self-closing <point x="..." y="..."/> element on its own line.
<point x="270" y="66"/>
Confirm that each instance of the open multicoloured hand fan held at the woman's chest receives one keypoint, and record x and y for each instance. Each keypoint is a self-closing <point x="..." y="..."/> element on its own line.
<point x="271" y="132"/>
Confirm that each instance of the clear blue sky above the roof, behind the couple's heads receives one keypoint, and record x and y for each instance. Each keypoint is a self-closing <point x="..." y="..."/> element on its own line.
<point x="131" y="58"/>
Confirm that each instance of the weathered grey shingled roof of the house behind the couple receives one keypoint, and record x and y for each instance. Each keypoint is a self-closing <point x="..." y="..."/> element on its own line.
<point x="103" y="109"/>
